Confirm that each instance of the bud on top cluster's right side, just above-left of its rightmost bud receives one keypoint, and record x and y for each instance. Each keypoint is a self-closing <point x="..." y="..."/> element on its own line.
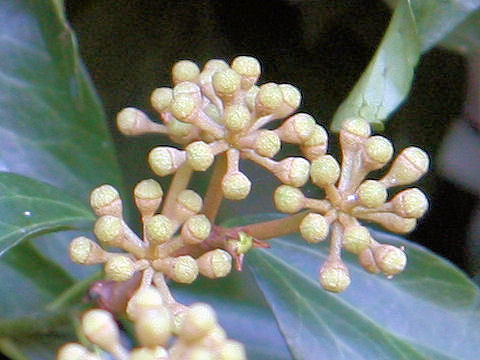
<point x="296" y="129"/>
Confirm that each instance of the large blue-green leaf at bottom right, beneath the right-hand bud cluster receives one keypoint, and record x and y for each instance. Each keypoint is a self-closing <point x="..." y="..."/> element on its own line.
<point x="429" y="311"/>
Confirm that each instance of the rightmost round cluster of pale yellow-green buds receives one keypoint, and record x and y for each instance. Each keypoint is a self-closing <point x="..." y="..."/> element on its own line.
<point x="349" y="197"/>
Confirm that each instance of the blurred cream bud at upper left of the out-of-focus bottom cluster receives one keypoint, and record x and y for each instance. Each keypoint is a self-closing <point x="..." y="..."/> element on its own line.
<point x="101" y="329"/>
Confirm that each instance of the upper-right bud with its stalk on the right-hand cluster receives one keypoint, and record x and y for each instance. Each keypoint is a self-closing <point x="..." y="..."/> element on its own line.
<point x="409" y="166"/>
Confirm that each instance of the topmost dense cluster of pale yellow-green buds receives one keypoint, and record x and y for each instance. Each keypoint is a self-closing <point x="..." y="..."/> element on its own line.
<point x="221" y="110"/>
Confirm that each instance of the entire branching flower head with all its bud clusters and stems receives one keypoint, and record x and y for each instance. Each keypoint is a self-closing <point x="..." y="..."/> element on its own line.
<point x="218" y="116"/>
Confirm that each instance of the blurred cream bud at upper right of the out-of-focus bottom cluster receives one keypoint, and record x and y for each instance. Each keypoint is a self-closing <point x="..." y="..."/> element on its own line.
<point x="199" y="320"/>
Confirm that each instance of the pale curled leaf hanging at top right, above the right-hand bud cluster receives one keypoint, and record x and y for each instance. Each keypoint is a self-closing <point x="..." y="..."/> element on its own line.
<point x="416" y="26"/>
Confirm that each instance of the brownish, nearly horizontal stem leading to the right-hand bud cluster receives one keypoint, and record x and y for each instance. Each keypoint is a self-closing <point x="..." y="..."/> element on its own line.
<point x="274" y="228"/>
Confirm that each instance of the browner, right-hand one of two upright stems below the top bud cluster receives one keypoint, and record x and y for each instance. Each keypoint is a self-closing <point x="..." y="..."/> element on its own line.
<point x="214" y="195"/>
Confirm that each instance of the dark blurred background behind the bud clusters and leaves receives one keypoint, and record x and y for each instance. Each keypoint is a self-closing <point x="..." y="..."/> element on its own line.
<point x="321" y="47"/>
